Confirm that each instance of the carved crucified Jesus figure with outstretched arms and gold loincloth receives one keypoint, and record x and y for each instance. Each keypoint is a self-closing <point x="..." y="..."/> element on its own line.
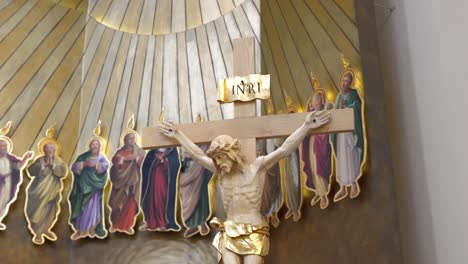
<point x="244" y="236"/>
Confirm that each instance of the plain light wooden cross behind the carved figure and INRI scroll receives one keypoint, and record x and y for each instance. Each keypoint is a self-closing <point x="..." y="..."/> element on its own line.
<point x="246" y="126"/>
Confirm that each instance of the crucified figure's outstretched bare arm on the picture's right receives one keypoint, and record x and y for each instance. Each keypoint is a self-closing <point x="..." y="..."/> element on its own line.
<point x="314" y="120"/>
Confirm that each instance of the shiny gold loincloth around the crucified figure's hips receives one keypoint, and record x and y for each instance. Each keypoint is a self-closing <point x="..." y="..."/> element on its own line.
<point x="242" y="239"/>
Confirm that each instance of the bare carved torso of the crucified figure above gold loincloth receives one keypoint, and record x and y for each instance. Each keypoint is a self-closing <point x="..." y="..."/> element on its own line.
<point x="242" y="194"/>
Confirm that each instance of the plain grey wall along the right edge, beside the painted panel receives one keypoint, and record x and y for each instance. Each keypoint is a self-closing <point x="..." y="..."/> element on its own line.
<point x="423" y="45"/>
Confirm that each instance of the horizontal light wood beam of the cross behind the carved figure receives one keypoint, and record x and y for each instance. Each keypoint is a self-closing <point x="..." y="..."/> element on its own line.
<point x="262" y="127"/>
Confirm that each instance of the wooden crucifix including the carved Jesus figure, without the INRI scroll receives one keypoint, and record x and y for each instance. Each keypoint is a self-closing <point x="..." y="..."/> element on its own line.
<point x="244" y="235"/>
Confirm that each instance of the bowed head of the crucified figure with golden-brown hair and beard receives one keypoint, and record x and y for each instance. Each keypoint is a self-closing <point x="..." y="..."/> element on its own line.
<point x="226" y="155"/>
